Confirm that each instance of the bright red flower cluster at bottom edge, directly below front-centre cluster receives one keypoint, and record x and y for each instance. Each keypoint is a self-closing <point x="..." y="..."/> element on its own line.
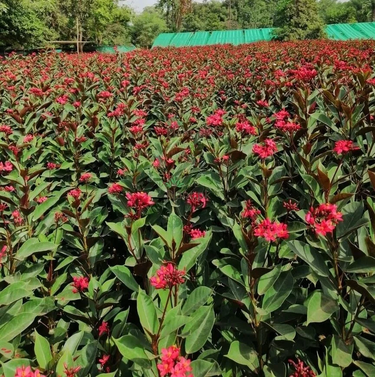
<point x="173" y="364"/>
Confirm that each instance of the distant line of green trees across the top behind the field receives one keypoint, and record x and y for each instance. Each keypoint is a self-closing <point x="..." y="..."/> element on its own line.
<point x="35" y="23"/>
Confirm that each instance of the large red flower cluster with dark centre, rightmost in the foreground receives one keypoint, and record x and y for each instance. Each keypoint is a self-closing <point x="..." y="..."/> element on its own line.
<point x="324" y="218"/>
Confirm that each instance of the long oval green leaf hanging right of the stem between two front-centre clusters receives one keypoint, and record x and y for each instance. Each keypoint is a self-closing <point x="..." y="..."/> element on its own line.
<point x="198" y="338"/>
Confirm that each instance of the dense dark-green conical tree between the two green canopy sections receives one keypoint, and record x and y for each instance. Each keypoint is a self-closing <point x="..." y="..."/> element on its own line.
<point x="300" y="21"/>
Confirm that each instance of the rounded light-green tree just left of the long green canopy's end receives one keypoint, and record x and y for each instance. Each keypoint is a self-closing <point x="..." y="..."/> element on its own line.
<point x="147" y="26"/>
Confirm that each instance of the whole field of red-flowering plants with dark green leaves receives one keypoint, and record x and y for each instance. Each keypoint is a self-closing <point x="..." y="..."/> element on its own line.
<point x="201" y="211"/>
